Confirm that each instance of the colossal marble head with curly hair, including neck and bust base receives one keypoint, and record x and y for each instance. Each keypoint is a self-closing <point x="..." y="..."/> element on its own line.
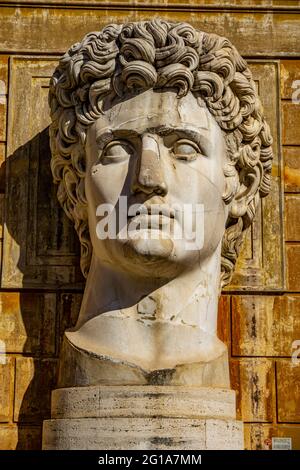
<point x="165" y="116"/>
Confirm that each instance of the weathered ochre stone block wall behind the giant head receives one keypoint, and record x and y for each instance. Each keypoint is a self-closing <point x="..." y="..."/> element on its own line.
<point x="41" y="284"/>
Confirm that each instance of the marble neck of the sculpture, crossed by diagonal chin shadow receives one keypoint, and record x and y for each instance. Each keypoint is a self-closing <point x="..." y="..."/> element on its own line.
<point x="191" y="298"/>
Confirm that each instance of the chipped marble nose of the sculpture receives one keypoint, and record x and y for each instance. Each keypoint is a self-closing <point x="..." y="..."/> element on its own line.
<point x="149" y="176"/>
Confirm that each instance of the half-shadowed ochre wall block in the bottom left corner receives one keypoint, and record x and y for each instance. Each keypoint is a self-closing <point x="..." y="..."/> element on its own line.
<point x="20" y="437"/>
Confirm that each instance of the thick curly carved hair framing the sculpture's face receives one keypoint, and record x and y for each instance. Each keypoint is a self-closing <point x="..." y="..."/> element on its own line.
<point x="160" y="54"/>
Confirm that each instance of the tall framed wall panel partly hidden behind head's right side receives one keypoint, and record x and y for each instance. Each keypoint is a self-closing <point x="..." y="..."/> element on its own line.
<point x="258" y="264"/>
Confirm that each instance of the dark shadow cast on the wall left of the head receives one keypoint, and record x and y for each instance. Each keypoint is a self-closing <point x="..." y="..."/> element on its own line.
<point x="41" y="264"/>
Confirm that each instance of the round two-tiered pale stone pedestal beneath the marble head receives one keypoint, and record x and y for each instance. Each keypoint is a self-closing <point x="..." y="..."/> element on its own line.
<point x="143" y="417"/>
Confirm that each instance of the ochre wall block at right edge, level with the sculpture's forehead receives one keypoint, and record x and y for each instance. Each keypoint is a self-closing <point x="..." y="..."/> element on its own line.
<point x="290" y="123"/>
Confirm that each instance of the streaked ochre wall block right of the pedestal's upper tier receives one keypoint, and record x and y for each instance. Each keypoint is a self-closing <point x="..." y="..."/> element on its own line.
<point x="253" y="379"/>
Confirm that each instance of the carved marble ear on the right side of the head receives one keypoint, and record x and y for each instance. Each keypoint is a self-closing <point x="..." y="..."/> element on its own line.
<point x="246" y="196"/>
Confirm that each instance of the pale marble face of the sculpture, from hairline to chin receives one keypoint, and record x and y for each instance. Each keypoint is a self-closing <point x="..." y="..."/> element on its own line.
<point x="167" y="153"/>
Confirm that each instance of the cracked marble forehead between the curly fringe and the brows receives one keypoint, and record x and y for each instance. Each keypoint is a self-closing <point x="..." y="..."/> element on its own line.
<point x="155" y="109"/>
